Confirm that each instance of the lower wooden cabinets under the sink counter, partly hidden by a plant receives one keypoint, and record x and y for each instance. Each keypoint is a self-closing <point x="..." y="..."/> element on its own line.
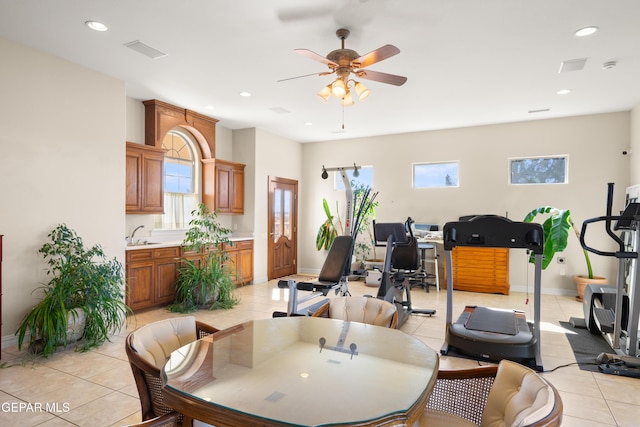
<point x="152" y="273"/>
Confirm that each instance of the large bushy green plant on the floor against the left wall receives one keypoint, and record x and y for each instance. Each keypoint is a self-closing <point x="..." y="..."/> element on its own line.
<point x="84" y="286"/>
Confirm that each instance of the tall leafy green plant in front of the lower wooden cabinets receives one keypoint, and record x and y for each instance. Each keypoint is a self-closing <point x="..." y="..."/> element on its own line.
<point x="206" y="282"/>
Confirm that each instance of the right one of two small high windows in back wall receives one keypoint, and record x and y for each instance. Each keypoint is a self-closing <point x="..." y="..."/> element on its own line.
<point x="538" y="170"/>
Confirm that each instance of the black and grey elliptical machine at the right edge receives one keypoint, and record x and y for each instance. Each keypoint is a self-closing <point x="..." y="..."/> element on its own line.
<point x="614" y="311"/>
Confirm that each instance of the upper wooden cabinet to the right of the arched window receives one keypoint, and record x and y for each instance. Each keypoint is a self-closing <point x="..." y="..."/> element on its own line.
<point x="223" y="186"/>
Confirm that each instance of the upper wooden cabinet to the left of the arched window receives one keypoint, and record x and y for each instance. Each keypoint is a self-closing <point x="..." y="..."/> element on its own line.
<point x="144" y="172"/>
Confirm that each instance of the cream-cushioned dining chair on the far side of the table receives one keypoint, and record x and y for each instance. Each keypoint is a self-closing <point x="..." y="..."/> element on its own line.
<point x="361" y="309"/>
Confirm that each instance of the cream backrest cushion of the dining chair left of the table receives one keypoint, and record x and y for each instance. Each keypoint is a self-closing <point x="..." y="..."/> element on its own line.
<point x="155" y="342"/>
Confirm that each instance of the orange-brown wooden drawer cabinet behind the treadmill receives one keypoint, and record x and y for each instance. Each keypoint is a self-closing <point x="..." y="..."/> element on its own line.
<point x="479" y="269"/>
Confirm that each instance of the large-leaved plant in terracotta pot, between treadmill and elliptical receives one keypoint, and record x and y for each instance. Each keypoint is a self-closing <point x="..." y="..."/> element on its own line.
<point x="556" y="228"/>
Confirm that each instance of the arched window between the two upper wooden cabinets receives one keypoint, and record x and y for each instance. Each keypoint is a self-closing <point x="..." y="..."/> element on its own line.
<point x="181" y="189"/>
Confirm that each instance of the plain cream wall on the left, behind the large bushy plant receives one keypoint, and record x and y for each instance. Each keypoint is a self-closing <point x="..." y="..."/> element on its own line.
<point x="62" y="144"/>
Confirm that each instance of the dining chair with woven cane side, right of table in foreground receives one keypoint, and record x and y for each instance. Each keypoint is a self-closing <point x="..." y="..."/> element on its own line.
<point x="509" y="394"/>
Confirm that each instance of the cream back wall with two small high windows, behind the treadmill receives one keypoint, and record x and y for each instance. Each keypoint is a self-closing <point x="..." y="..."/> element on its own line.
<point x="594" y="145"/>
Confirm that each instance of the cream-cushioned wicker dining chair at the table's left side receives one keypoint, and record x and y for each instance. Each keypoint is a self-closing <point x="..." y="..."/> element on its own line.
<point x="149" y="347"/>
